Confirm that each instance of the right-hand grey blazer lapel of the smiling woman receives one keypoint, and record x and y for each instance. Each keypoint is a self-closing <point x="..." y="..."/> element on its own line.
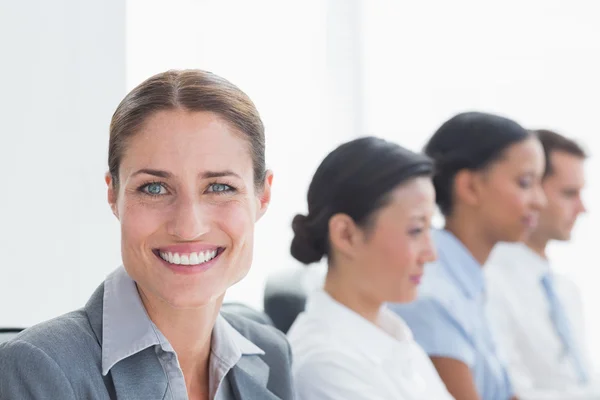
<point x="249" y="379"/>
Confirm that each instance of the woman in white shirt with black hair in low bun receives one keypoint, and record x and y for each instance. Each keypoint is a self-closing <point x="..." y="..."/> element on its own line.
<point x="369" y="209"/>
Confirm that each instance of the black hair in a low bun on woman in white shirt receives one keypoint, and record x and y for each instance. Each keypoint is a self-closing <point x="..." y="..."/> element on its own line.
<point x="354" y="179"/>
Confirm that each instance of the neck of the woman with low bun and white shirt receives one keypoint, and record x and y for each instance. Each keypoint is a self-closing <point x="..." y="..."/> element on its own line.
<point x="347" y="294"/>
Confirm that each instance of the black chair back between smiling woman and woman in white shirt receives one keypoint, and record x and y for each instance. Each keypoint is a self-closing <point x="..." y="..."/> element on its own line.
<point x="286" y="292"/>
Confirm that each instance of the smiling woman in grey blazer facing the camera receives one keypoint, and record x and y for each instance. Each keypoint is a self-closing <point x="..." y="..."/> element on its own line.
<point x="187" y="182"/>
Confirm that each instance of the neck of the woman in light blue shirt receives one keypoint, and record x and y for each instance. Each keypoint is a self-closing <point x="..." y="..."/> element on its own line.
<point x="471" y="236"/>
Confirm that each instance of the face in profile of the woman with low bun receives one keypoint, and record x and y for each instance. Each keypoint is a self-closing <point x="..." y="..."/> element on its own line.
<point x="398" y="243"/>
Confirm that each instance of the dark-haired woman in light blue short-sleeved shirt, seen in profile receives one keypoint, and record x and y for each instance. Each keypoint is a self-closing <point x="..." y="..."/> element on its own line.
<point x="487" y="181"/>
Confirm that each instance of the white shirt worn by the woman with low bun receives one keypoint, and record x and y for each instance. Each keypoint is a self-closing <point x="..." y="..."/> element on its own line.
<point x="338" y="355"/>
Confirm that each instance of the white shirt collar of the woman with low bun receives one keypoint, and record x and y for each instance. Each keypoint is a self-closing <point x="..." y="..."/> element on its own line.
<point x="376" y="343"/>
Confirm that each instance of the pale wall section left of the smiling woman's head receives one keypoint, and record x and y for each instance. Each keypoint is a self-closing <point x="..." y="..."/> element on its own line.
<point x="62" y="74"/>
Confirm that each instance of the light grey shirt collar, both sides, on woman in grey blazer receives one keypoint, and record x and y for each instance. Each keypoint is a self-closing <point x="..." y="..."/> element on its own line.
<point x="127" y="329"/>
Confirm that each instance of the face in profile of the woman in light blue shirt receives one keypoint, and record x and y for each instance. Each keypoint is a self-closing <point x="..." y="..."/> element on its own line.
<point x="509" y="192"/>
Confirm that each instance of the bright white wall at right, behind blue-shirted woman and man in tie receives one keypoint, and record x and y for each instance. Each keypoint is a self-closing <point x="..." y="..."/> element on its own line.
<point x="535" y="61"/>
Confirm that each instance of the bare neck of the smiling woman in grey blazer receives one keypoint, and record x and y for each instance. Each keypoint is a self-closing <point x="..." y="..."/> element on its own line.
<point x="189" y="331"/>
